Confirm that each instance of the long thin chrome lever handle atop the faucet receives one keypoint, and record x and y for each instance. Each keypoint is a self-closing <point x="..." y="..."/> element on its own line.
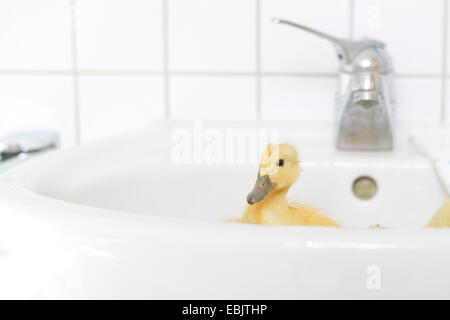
<point x="346" y="49"/>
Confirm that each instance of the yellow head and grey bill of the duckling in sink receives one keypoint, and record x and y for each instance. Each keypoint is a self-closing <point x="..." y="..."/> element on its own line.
<point x="278" y="170"/>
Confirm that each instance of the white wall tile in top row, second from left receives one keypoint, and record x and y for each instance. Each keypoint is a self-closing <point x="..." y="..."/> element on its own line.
<point x="119" y="34"/>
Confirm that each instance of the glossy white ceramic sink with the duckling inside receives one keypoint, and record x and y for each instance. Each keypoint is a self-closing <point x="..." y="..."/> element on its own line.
<point x="119" y="219"/>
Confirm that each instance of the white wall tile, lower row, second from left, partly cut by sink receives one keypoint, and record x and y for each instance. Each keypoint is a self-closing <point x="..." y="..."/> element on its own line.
<point x="112" y="104"/>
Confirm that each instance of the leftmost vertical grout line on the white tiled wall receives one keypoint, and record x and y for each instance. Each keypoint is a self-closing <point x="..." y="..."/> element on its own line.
<point x="75" y="75"/>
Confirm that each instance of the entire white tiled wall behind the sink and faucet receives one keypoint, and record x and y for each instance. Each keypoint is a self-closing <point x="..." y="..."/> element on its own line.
<point x="91" y="68"/>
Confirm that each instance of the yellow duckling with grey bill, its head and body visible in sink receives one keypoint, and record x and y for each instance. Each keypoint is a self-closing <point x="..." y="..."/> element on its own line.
<point x="267" y="204"/>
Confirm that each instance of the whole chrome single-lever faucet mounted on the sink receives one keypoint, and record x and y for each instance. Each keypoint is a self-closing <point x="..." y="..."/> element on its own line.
<point x="365" y="94"/>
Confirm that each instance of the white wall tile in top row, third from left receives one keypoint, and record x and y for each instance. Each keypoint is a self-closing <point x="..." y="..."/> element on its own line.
<point x="212" y="35"/>
